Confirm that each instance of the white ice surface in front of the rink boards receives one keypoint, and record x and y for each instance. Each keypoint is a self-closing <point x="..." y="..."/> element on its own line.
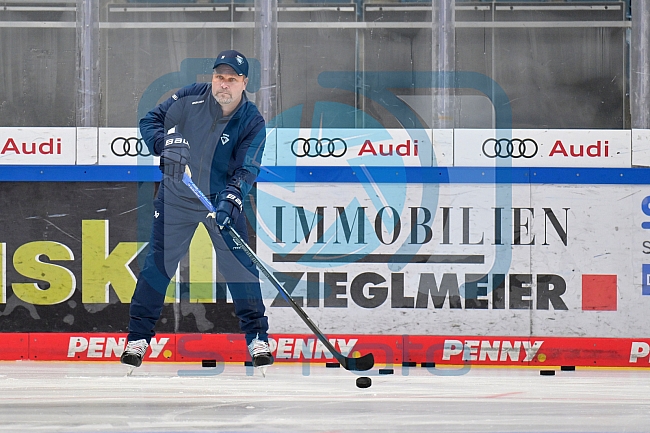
<point x="38" y="396"/>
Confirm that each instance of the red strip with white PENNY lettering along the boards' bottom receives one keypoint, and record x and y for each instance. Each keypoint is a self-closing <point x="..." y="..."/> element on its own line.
<point x="388" y="350"/>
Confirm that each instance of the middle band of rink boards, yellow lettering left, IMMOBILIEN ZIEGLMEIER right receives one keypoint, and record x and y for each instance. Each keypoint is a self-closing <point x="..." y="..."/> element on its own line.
<point x="483" y="259"/>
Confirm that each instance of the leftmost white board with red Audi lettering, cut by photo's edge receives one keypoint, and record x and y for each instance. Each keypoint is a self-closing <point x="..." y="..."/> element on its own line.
<point x="38" y="146"/>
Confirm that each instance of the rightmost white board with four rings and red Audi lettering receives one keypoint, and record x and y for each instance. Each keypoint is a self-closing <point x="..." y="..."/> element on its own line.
<point x="542" y="148"/>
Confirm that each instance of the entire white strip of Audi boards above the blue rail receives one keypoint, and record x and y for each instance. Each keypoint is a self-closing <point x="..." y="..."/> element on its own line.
<point x="350" y="147"/>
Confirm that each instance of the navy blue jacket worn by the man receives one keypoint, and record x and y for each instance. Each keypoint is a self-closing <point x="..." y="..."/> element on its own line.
<point x="223" y="150"/>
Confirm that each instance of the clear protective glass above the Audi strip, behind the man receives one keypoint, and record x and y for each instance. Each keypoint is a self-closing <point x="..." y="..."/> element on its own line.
<point x="562" y="64"/>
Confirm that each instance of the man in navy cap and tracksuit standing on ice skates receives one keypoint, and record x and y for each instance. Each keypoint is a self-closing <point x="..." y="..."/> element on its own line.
<point x="213" y="129"/>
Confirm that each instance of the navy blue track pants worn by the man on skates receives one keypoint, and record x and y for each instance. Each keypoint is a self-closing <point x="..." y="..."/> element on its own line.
<point x="174" y="224"/>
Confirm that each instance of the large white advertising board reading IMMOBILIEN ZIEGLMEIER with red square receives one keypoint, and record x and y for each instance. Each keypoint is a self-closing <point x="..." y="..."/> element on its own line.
<point x="459" y="259"/>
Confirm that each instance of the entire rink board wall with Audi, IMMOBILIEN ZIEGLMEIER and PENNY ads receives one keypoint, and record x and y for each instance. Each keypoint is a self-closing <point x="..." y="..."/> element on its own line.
<point x="473" y="260"/>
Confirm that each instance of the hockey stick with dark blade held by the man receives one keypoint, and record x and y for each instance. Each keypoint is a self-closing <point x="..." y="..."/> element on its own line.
<point x="363" y="363"/>
